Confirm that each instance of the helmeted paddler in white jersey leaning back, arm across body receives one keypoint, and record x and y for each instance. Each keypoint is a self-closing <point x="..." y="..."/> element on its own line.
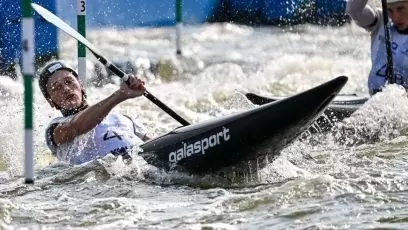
<point x="85" y="132"/>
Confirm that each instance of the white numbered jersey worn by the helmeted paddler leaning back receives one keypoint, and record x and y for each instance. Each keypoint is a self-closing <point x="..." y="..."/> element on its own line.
<point x="116" y="134"/>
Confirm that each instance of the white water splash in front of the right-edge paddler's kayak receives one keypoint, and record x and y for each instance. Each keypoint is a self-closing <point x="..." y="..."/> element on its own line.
<point x="382" y="118"/>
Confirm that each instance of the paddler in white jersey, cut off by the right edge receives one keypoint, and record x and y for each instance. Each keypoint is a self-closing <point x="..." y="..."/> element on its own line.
<point x="372" y="21"/>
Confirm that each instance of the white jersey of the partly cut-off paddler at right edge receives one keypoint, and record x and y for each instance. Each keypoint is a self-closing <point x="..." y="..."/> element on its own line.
<point x="399" y="44"/>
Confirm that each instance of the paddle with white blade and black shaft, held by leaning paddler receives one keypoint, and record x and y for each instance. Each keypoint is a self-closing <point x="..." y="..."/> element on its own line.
<point x="52" y="18"/>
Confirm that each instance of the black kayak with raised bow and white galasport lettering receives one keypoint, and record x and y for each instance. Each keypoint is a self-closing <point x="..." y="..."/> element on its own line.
<point x="255" y="134"/>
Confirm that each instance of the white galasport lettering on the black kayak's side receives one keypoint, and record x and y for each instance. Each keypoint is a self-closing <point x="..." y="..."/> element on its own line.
<point x="199" y="146"/>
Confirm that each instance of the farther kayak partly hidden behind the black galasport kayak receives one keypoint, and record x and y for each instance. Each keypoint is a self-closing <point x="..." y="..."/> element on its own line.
<point x="341" y="107"/>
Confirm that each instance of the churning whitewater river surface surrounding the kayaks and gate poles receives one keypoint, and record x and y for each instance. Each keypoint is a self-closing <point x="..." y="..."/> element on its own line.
<point x="355" y="178"/>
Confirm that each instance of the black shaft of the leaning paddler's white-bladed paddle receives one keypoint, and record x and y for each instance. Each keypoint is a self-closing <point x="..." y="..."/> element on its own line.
<point x="148" y="95"/>
